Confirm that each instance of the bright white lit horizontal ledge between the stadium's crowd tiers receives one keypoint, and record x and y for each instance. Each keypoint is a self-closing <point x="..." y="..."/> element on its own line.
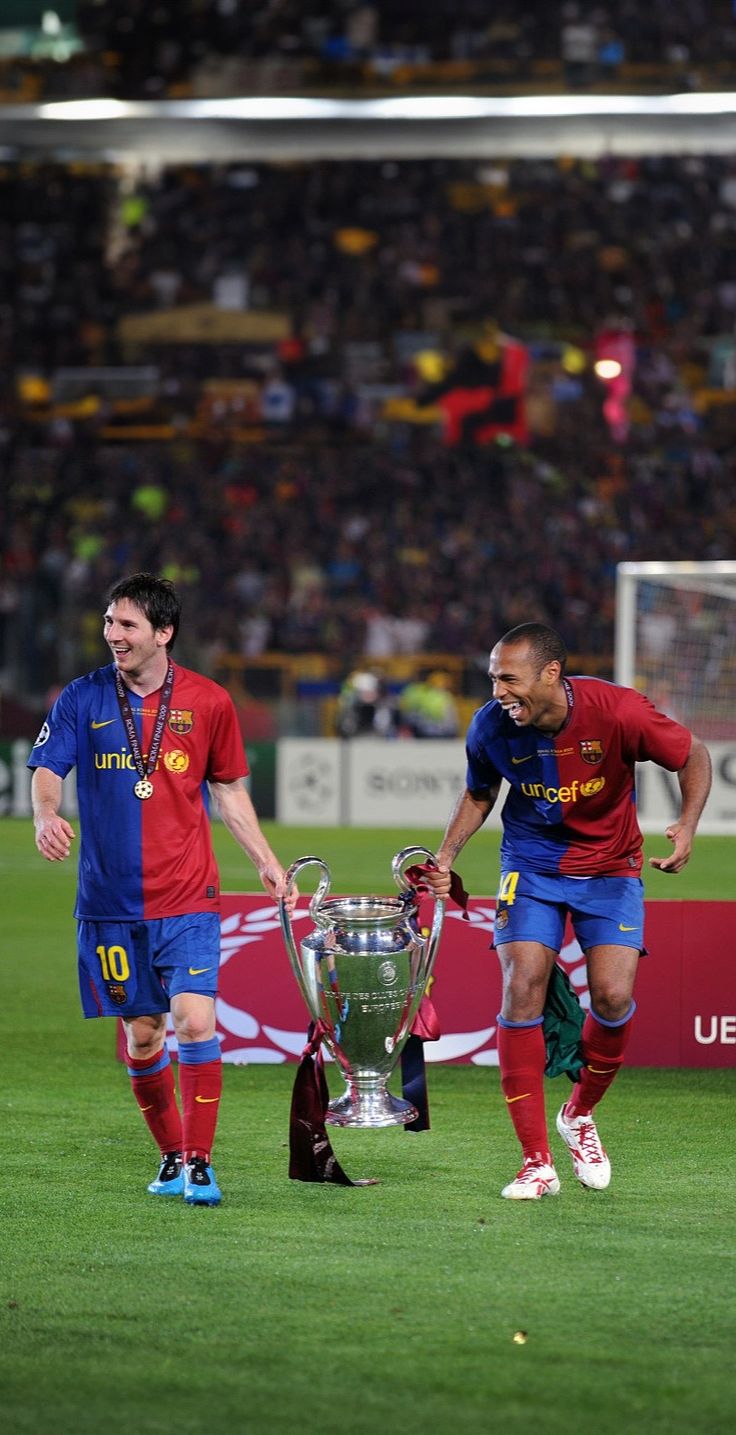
<point x="420" y="127"/>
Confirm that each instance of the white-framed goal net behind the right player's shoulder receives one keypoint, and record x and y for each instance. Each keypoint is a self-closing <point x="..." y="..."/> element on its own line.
<point x="676" y="641"/>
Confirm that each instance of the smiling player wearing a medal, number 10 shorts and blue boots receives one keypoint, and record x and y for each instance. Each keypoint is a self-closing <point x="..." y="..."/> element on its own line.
<point x="146" y="738"/>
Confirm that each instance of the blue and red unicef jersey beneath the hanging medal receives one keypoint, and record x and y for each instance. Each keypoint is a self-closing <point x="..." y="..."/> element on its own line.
<point x="153" y="859"/>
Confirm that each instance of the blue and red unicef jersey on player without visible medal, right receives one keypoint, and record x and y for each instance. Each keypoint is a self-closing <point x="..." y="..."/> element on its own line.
<point x="572" y="800"/>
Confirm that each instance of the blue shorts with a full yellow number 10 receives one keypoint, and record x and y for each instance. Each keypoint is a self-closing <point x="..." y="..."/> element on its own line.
<point x="134" y="968"/>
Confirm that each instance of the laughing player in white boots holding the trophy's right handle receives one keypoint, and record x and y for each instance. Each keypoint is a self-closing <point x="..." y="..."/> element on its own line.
<point x="572" y="844"/>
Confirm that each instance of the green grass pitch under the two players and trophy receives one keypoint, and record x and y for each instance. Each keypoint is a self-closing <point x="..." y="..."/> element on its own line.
<point x="382" y="1309"/>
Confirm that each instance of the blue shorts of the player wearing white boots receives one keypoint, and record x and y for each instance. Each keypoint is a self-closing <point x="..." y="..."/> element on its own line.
<point x="603" y="911"/>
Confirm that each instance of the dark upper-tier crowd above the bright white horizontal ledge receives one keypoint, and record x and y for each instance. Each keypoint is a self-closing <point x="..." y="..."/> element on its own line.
<point x="144" y="51"/>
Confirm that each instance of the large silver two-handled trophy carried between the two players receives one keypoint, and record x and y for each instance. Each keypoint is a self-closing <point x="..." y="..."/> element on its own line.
<point x="362" y="974"/>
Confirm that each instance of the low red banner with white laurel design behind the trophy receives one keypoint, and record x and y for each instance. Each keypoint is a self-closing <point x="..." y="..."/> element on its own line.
<point x="687" y="989"/>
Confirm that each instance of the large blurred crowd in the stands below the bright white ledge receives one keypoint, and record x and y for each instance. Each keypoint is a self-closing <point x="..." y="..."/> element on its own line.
<point x="336" y="524"/>
